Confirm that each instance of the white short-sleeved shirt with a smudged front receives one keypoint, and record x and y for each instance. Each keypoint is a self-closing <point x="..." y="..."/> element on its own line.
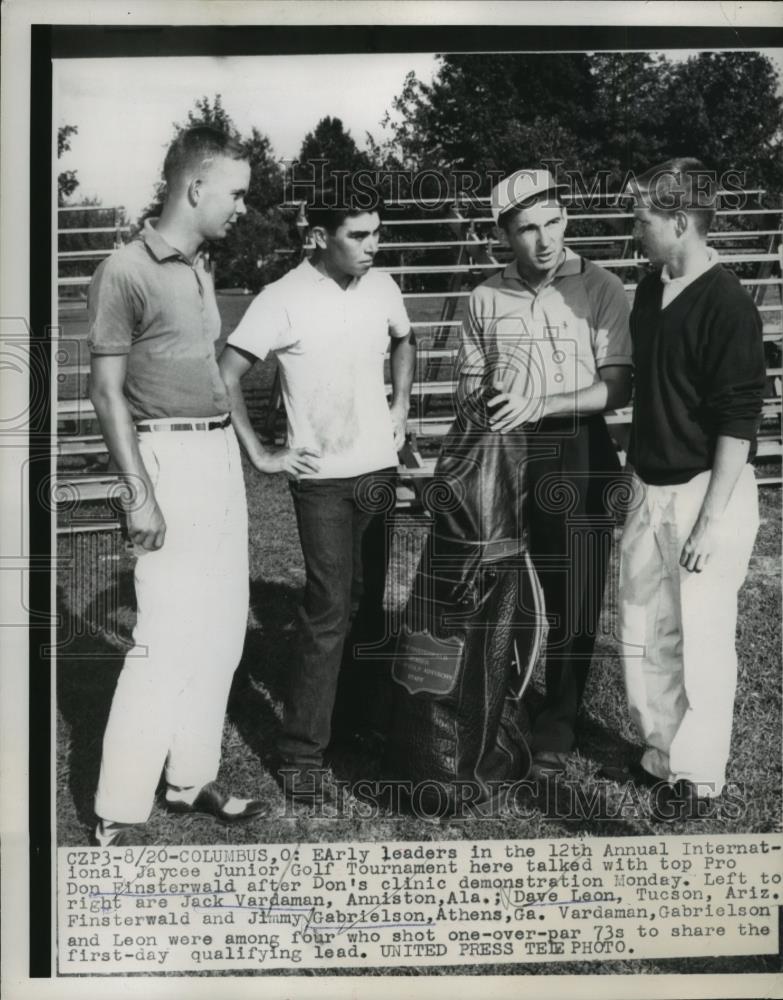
<point x="330" y="344"/>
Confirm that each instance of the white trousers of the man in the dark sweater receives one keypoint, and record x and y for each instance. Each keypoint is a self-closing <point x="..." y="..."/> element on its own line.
<point x="677" y="628"/>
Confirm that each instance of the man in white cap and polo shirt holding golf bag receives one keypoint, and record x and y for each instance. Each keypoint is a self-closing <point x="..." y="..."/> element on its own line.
<point x="548" y="337"/>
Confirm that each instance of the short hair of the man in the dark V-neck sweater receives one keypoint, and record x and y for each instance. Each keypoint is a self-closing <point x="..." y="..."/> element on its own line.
<point x="682" y="184"/>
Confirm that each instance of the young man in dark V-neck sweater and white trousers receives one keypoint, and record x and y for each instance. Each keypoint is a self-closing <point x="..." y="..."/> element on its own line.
<point x="700" y="373"/>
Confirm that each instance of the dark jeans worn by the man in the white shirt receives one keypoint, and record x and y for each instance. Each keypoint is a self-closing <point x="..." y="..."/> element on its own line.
<point x="342" y="533"/>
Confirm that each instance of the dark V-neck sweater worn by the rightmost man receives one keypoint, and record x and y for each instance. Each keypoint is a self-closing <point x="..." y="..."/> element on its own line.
<point x="699" y="373"/>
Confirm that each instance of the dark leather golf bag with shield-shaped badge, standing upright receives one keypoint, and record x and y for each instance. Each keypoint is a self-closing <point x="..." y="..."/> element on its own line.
<point x="472" y="631"/>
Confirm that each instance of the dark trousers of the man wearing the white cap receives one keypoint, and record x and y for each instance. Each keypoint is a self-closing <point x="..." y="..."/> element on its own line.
<point x="570" y="521"/>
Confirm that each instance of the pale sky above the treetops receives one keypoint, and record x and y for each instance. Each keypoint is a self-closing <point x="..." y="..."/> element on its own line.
<point x="125" y="108"/>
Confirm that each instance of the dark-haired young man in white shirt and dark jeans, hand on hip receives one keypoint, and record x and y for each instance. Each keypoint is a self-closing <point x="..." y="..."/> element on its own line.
<point x="329" y="322"/>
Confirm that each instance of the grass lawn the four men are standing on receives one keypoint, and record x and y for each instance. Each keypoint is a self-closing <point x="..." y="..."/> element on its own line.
<point x="95" y="600"/>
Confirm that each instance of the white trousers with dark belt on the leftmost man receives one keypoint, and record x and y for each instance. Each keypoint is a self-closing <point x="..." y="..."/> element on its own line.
<point x="192" y="600"/>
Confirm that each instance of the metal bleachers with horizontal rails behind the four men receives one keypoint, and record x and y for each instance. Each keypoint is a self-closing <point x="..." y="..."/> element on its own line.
<point x="438" y="251"/>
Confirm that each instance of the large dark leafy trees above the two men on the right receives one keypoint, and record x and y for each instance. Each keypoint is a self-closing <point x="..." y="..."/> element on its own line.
<point x="610" y="112"/>
